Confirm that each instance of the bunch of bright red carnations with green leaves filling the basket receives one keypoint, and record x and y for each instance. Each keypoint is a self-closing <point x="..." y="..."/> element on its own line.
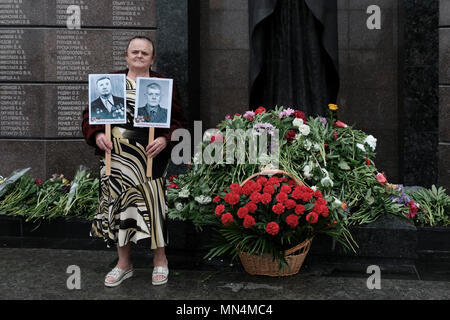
<point x="268" y="215"/>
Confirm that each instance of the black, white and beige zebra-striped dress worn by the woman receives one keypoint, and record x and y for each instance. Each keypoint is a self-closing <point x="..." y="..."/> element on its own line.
<point x="131" y="206"/>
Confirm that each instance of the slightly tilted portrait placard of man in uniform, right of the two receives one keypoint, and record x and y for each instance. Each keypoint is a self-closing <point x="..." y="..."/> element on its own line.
<point x="153" y="102"/>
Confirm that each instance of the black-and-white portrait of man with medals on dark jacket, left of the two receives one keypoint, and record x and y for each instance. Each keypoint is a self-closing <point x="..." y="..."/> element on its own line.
<point x="107" y="99"/>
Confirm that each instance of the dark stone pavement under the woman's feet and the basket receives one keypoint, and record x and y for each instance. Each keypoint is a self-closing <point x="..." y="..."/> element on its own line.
<point x="30" y="274"/>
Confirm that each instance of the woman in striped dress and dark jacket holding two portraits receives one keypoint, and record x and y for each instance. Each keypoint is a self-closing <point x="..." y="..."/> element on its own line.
<point x="133" y="207"/>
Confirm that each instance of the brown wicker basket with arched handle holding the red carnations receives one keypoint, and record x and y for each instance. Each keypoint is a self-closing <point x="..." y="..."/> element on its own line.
<point x="265" y="264"/>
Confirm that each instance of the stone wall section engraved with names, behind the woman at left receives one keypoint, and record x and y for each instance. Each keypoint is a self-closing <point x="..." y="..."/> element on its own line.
<point x="44" y="67"/>
